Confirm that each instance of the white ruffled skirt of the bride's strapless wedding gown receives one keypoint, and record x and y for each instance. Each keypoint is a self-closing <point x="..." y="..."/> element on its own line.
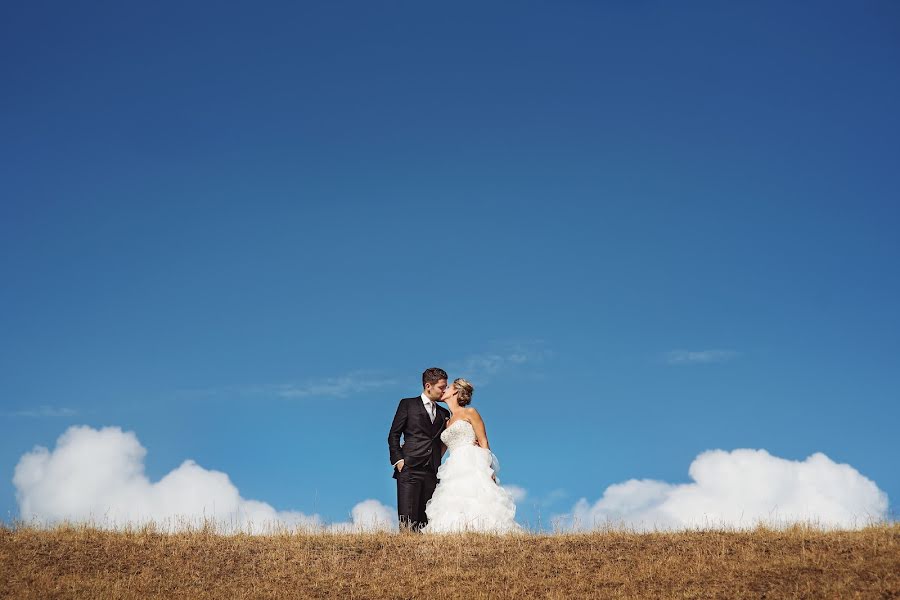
<point x="467" y="498"/>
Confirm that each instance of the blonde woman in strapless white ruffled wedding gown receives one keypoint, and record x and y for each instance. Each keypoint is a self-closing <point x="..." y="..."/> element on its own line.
<point x="468" y="496"/>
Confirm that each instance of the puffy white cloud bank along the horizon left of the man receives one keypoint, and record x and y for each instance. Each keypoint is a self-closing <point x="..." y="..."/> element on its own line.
<point x="97" y="475"/>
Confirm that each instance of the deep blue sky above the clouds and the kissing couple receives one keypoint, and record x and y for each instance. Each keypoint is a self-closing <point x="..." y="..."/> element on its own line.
<point x="242" y="232"/>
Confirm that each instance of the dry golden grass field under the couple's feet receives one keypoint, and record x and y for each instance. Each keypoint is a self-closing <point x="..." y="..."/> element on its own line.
<point x="801" y="562"/>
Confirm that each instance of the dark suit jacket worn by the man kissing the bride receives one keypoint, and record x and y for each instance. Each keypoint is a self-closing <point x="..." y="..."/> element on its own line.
<point x="421" y="437"/>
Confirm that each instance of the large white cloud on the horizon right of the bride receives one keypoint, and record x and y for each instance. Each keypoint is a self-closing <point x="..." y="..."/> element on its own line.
<point x="739" y="489"/>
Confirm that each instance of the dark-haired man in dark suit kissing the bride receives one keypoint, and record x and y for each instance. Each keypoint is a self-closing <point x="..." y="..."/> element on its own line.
<point x="420" y="420"/>
